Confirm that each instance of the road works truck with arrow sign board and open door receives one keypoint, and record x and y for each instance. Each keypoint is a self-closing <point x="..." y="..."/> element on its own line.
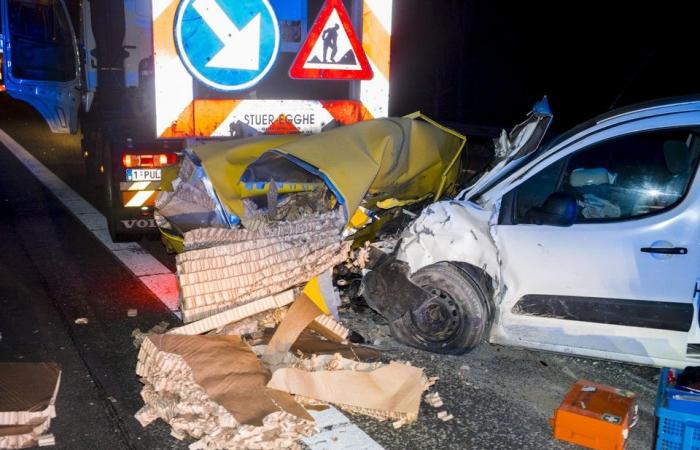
<point x="143" y="79"/>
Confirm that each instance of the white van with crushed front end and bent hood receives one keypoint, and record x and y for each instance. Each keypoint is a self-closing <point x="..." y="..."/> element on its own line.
<point x="588" y="245"/>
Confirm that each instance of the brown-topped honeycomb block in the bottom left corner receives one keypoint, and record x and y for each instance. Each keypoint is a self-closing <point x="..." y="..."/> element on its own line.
<point x="27" y="403"/>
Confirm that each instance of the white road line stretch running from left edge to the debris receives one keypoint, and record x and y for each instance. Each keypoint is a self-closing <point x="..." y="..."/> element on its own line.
<point x="154" y="275"/>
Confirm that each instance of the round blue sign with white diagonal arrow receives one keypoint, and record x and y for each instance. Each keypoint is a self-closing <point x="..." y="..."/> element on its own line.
<point x="229" y="45"/>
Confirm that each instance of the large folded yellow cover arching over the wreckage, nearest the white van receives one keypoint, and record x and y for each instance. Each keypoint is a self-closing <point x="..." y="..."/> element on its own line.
<point x="397" y="158"/>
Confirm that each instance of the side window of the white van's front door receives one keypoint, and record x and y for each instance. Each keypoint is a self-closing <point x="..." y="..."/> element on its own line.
<point x="621" y="178"/>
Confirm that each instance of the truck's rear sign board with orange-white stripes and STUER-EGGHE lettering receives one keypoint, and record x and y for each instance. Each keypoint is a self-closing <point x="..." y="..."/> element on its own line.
<point x="224" y="68"/>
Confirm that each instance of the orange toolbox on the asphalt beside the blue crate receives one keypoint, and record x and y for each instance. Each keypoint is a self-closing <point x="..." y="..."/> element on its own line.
<point x="595" y="416"/>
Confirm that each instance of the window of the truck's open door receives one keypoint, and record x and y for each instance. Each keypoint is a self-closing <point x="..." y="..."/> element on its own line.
<point x="42" y="47"/>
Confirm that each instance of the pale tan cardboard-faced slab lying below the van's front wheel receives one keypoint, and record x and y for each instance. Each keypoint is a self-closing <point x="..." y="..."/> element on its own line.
<point x="394" y="389"/>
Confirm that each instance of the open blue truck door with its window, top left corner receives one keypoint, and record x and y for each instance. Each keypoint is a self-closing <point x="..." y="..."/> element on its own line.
<point x="40" y="60"/>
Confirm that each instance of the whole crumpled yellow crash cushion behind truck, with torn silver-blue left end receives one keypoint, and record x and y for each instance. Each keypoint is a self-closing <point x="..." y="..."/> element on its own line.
<point x="370" y="171"/>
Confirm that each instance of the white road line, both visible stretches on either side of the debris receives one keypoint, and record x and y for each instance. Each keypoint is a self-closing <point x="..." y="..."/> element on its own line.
<point x="337" y="432"/>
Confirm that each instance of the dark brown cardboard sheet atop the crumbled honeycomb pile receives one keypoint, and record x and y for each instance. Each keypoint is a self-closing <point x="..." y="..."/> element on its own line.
<point x="231" y="375"/>
